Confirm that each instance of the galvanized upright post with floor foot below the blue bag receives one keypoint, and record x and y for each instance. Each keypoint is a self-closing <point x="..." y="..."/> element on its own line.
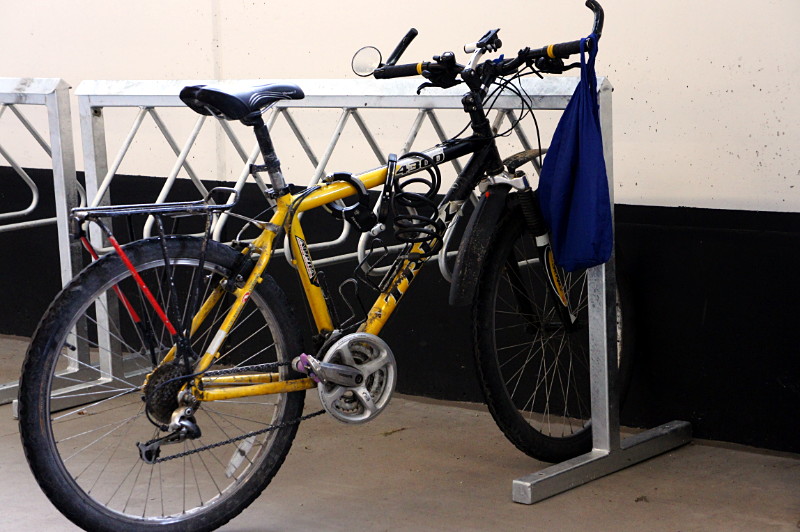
<point x="610" y="453"/>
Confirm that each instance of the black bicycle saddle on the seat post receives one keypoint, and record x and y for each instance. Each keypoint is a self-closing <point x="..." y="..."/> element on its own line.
<point x="232" y="103"/>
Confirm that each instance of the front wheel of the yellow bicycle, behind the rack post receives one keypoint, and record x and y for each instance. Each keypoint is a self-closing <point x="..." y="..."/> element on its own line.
<point x="534" y="369"/>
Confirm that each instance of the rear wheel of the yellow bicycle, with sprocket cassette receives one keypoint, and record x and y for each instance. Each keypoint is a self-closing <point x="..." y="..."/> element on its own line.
<point x="83" y="408"/>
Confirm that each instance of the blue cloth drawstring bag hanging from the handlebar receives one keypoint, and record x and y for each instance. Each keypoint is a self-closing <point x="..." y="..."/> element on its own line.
<point x="573" y="187"/>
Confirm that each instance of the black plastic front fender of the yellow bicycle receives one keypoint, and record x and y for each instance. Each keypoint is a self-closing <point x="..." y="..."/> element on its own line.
<point x="474" y="243"/>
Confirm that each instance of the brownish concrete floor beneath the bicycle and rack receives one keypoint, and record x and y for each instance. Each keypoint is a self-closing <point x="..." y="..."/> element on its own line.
<point x="432" y="465"/>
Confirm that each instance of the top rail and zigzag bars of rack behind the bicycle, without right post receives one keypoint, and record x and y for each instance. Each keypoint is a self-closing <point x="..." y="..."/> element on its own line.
<point x="353" y="99"/>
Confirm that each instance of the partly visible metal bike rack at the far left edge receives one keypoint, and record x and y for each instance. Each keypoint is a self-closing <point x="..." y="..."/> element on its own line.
<point x="53" y="94"/>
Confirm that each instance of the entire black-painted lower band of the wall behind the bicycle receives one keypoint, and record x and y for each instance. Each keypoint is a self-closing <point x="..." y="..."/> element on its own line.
<point x="716" y="294"/>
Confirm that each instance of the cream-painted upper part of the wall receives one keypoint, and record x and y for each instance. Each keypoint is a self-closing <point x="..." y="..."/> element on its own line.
<point x="704" y="109"/>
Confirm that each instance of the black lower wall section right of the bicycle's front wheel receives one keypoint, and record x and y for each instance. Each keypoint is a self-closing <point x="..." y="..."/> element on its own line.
<point x="717" y="297"/>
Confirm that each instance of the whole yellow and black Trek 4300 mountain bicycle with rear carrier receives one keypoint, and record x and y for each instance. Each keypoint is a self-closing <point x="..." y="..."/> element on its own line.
<point x="166" y="382"/>
